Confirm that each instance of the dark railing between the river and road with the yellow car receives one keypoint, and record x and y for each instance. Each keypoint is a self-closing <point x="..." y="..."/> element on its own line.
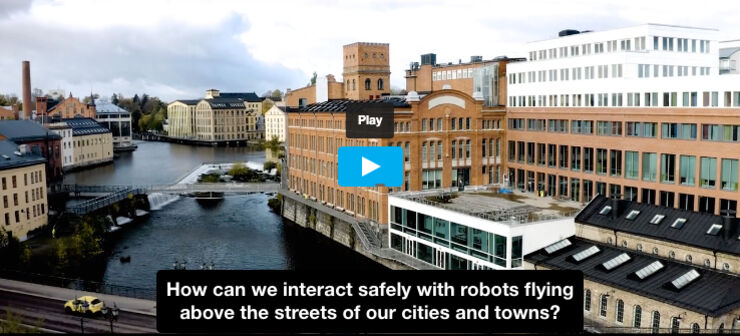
<point x="79" y="284"/>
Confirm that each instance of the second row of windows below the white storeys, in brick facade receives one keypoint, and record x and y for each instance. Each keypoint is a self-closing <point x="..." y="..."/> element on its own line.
<point x="610" y="162"/>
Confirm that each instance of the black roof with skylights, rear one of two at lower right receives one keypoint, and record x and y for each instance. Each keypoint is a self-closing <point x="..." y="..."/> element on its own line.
<point x="693" y="230"/>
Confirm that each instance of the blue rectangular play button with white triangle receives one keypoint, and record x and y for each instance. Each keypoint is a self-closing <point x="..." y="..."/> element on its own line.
<point x="370" y="166"/>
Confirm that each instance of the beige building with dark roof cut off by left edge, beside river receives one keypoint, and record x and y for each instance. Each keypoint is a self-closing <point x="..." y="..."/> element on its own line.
<point x="23" y="179"/>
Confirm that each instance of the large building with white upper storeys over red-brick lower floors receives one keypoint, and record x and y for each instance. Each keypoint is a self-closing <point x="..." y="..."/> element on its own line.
<point x="640" y="111"/>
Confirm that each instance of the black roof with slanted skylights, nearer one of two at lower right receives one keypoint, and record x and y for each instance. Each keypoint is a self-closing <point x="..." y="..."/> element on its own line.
<point x="712" y="292"/>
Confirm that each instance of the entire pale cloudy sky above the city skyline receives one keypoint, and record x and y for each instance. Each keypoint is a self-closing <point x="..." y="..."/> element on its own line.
<point x="178" y="49"/>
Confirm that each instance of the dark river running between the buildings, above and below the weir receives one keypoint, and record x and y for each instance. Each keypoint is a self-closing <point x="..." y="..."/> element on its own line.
<point x="238" y="233"/>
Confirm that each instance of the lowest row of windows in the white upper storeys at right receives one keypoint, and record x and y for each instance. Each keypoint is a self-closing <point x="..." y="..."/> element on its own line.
<point x="630" y="99"/>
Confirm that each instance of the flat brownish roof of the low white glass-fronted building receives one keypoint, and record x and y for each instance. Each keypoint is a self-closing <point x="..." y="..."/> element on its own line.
<point x="516" y="207"/>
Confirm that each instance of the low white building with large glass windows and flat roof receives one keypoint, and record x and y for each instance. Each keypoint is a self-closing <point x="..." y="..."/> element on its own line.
<point x="472" y="230"/>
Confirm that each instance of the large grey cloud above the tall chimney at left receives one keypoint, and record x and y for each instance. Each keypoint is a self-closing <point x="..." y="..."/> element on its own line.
<point x="171" y="60"/>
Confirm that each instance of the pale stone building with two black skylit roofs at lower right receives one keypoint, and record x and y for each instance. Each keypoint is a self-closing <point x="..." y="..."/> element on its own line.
<point x="650" y="268"/>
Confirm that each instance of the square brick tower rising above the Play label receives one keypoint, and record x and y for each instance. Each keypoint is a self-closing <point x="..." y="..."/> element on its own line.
<point x="367" y="70"/>
